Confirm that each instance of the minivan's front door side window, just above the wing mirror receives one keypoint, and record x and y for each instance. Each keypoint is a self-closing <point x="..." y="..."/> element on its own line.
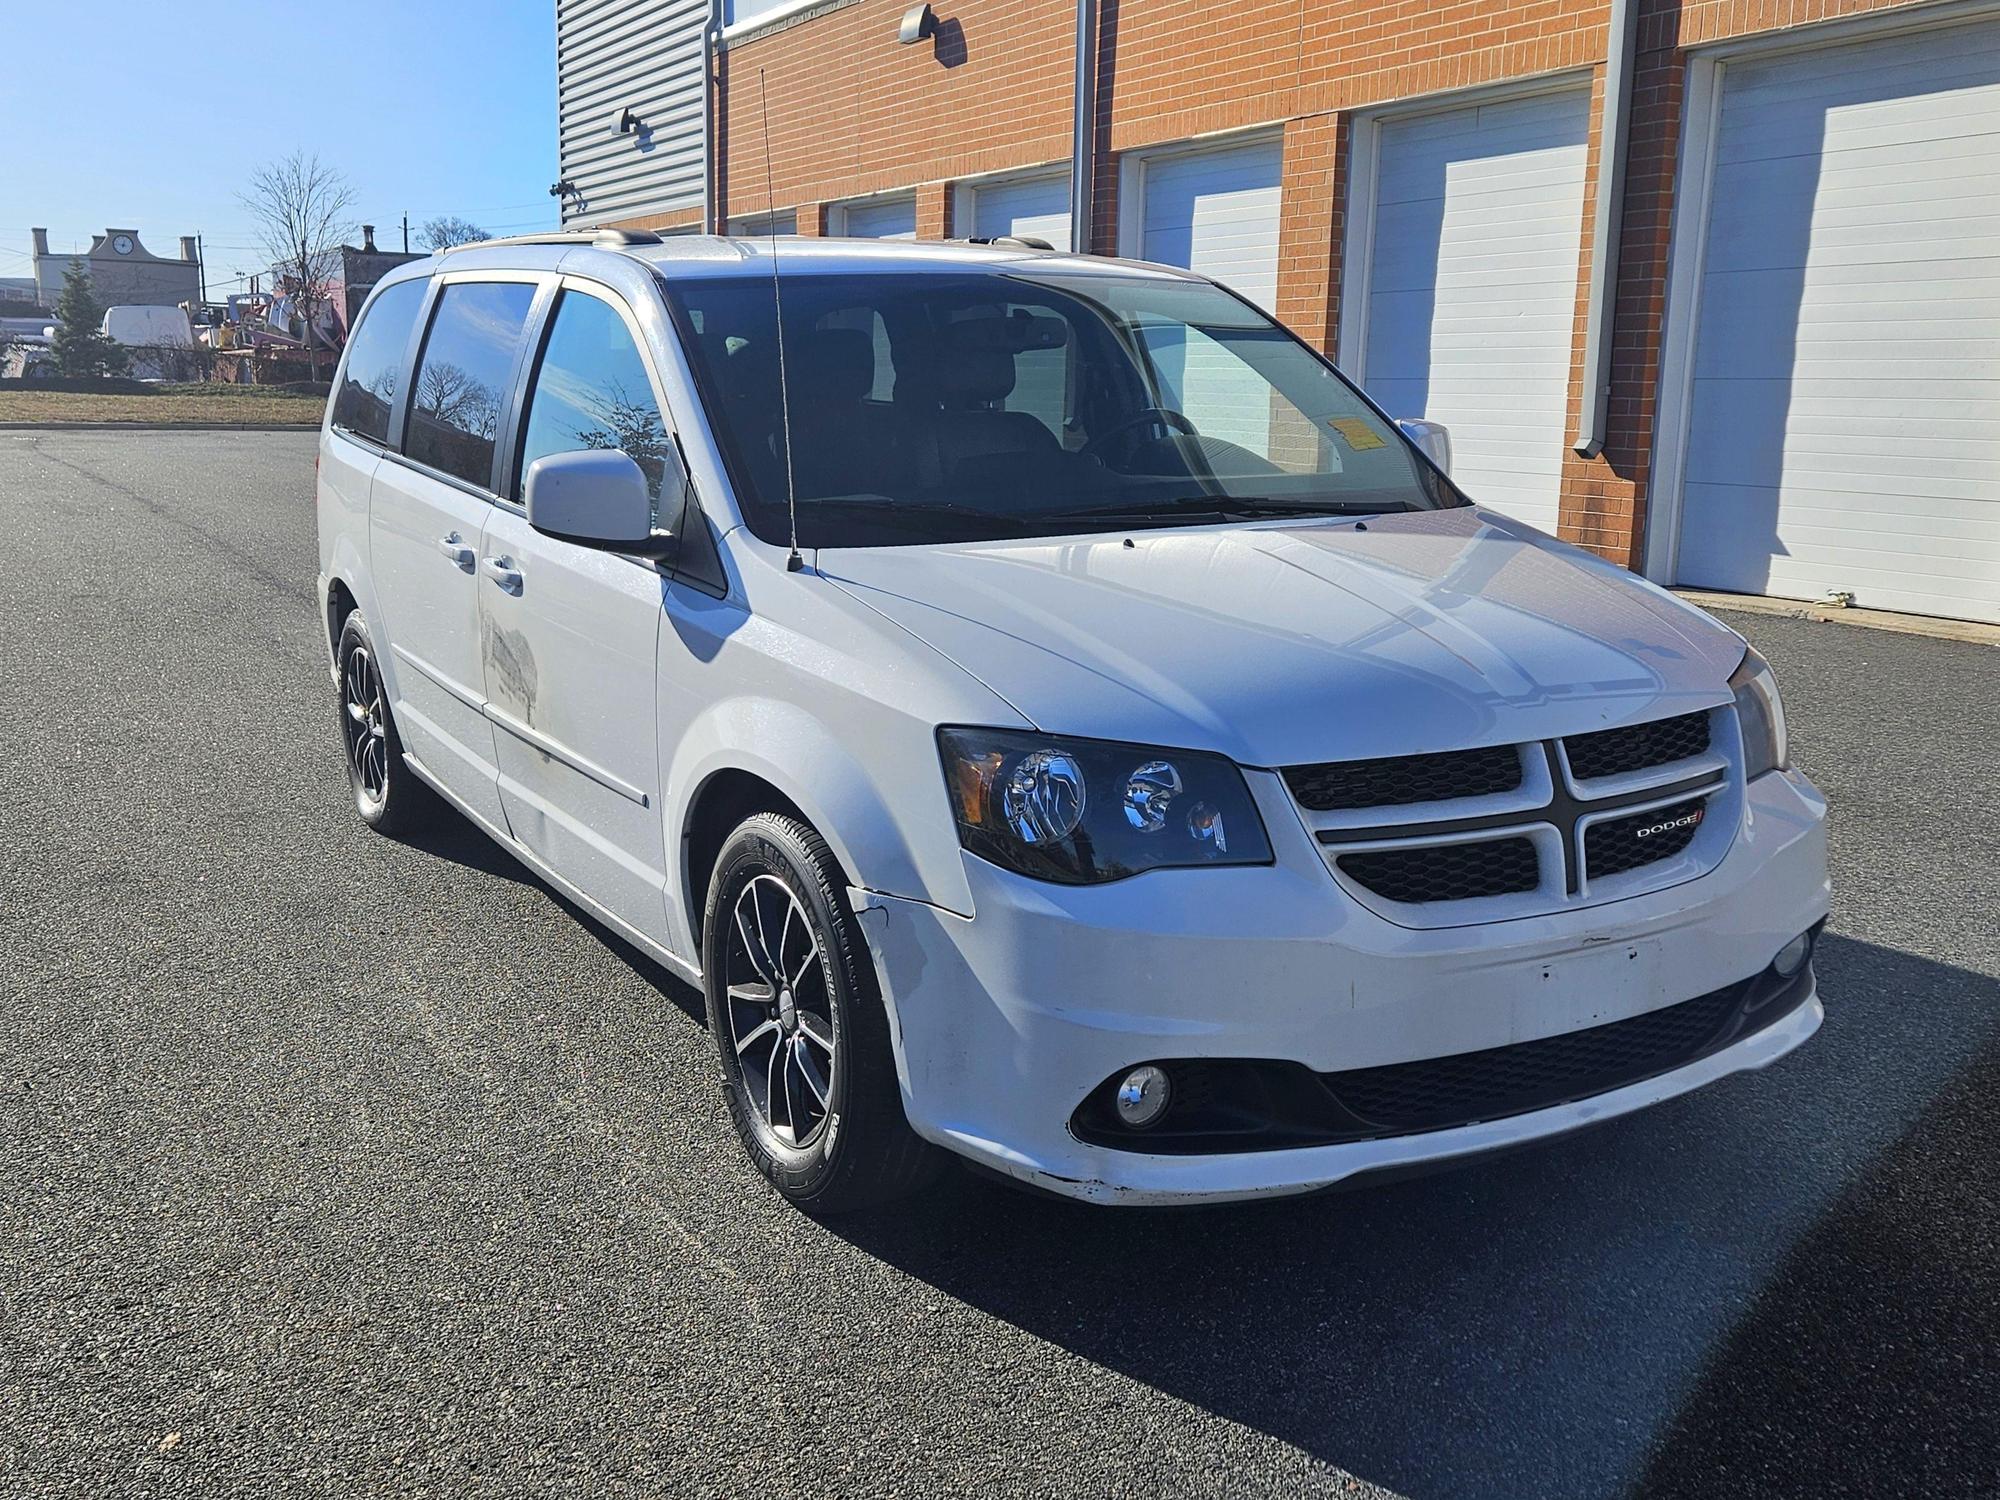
<point x="593" y="393"/>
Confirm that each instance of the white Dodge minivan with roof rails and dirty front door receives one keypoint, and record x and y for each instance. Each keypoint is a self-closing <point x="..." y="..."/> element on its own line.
<point x="1053" y="715"/>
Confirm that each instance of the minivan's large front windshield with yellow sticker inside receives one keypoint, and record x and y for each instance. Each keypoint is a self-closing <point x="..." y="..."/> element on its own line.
<point x="989" y="405"/>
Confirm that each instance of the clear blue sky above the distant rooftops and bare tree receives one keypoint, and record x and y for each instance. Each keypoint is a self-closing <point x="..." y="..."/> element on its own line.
<point x="153" y="113"/>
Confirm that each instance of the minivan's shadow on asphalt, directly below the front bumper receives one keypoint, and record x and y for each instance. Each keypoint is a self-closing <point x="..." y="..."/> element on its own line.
<point x="1527" y="1325"/>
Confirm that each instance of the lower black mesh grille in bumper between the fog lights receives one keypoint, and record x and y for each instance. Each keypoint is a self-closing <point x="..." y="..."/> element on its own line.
<point x="1533" y="1075"/>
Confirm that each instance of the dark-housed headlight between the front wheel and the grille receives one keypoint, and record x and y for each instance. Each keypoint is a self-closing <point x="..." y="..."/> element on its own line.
<point x="1093" y="811"/>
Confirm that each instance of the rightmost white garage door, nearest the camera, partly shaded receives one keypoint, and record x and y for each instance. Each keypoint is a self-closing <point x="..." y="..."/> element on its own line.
<point x="1845" y="409"/>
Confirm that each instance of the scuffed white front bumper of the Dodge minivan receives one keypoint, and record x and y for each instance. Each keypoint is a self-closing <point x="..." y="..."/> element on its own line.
<point x="1005" y="1023"/>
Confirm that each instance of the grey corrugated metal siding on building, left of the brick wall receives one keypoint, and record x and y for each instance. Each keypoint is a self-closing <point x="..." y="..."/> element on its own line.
<point x="647" y="57"/>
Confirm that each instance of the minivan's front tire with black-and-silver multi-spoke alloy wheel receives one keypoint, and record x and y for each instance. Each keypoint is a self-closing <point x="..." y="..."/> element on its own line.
<point x="801" y="1029"/>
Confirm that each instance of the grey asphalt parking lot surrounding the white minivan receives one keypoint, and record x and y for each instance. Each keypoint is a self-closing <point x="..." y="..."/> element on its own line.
<point x="339" y="1165"/>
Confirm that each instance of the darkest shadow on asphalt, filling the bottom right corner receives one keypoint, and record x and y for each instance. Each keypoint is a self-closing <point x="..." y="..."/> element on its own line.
<point x="1887" y="1315"/>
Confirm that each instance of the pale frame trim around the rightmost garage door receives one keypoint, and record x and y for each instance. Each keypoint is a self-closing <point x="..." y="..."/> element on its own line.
<point x="1689" y="237"/>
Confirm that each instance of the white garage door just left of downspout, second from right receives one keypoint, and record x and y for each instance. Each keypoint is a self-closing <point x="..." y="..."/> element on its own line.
<point x="1471" y="289"/>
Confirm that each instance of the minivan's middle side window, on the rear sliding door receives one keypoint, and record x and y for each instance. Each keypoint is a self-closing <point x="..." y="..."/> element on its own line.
<point x="455" y="411"/>
